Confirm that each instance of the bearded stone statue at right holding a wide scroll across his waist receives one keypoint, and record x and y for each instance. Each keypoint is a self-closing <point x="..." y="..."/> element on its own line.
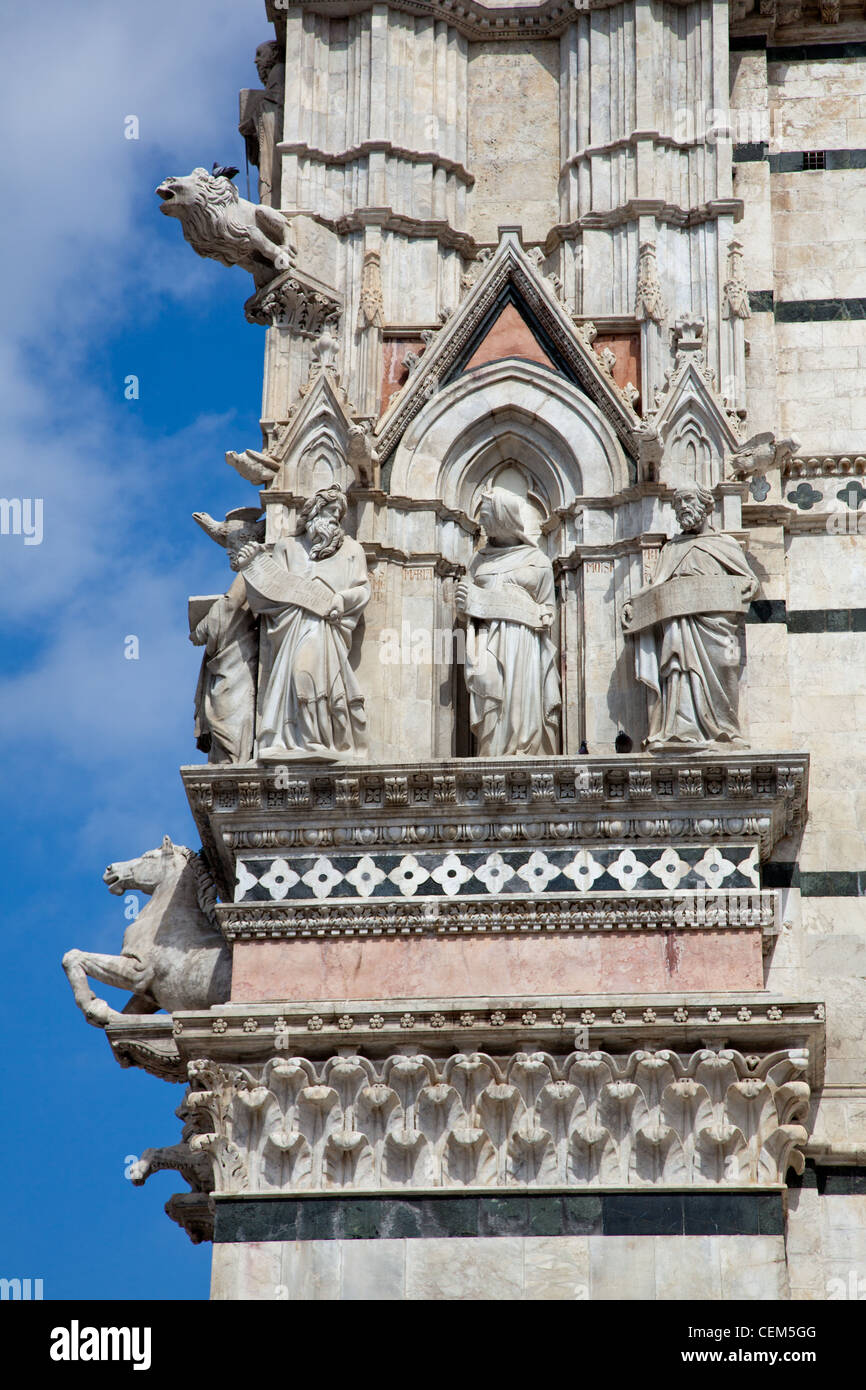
<point x="687" y="628"/>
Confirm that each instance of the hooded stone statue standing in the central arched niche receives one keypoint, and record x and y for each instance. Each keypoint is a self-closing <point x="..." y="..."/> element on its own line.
<point x="511" y="661"/>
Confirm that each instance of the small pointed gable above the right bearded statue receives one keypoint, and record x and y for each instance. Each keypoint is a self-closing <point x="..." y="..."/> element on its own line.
<point x="694" y="429"/>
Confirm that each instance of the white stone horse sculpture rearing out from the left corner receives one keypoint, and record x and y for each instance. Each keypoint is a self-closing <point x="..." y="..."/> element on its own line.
<point x="173" y="954"/>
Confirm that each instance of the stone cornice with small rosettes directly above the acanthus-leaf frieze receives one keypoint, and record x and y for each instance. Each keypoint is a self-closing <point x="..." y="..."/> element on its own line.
<point x="753" y="1022"/>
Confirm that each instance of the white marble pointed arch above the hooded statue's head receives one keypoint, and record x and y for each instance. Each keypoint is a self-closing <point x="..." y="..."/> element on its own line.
<point x="503" y="412"/>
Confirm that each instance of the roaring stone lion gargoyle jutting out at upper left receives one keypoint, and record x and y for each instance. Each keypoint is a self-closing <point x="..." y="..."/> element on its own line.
<point x="220" y="224"/>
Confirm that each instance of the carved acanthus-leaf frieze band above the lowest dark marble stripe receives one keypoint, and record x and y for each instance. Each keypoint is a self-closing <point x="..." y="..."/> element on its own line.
<point x="528" y="1120"/>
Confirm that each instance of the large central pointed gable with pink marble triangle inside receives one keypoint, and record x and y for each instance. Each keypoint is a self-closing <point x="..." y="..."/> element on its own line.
<point x="539" y="322"/>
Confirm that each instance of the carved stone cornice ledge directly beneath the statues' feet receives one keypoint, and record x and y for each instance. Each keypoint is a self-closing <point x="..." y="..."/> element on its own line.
<point x="733" y="797"/>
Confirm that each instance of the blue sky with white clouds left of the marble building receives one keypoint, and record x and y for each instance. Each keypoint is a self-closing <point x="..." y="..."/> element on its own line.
<point x="98" y="286"/>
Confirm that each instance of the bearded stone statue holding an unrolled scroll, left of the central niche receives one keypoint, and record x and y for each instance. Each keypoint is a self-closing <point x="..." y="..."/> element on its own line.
<point x="311" y="591"/>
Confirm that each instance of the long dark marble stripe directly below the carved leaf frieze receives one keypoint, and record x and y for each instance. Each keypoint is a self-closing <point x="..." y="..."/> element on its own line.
<point x="722" y="1213"/>
